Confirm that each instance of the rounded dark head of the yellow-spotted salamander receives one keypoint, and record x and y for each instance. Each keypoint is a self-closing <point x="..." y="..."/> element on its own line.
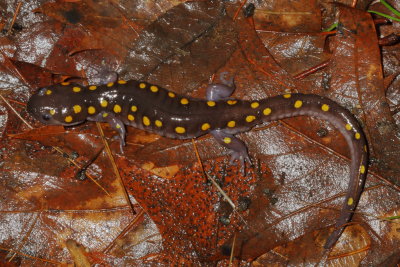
<point x="57" y="106"/>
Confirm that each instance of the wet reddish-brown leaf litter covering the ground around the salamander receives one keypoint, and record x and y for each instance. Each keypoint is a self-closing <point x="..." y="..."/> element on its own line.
<point x="164" y="210"/>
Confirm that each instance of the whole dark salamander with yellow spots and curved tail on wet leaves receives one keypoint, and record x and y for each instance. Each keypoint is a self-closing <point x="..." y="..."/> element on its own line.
<point x="152" y="108"/>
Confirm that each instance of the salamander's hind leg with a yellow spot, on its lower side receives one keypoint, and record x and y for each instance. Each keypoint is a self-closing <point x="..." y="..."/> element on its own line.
<point x="237" y="147"/>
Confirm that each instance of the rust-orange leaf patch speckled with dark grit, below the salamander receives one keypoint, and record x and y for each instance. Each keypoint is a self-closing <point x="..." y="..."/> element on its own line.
<point x="188" y="189"/>
